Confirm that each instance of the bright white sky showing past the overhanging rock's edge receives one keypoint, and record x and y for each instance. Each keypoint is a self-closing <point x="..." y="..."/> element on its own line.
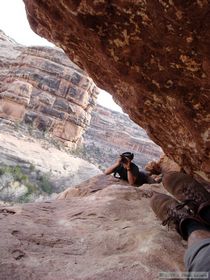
<point x="14" y="23"/>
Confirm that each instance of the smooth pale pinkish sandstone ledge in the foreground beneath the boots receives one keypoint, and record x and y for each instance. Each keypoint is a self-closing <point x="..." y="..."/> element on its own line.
<point x="100" y="231"/>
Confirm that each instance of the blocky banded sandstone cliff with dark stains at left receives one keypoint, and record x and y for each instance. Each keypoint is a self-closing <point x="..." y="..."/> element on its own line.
<point x="43" y="88"/>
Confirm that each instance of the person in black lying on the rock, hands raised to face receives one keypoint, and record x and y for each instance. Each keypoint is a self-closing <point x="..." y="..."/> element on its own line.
<point x="125" y="169"/>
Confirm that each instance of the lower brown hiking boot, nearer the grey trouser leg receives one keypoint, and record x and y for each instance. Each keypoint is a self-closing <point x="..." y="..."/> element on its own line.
<point x="170" y="212"/>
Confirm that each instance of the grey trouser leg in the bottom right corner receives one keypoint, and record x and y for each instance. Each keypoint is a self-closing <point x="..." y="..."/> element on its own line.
<point x="197" y="258"/>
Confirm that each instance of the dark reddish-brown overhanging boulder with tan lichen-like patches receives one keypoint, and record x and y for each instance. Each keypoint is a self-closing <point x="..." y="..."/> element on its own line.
<point x="152" y="56"/>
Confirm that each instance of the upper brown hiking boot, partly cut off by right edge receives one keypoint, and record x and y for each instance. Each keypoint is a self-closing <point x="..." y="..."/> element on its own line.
<point x="190" y="192"/>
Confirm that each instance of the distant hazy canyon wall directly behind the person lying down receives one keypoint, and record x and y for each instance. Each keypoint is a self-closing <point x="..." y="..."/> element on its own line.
<point x="111" y="133"/>
